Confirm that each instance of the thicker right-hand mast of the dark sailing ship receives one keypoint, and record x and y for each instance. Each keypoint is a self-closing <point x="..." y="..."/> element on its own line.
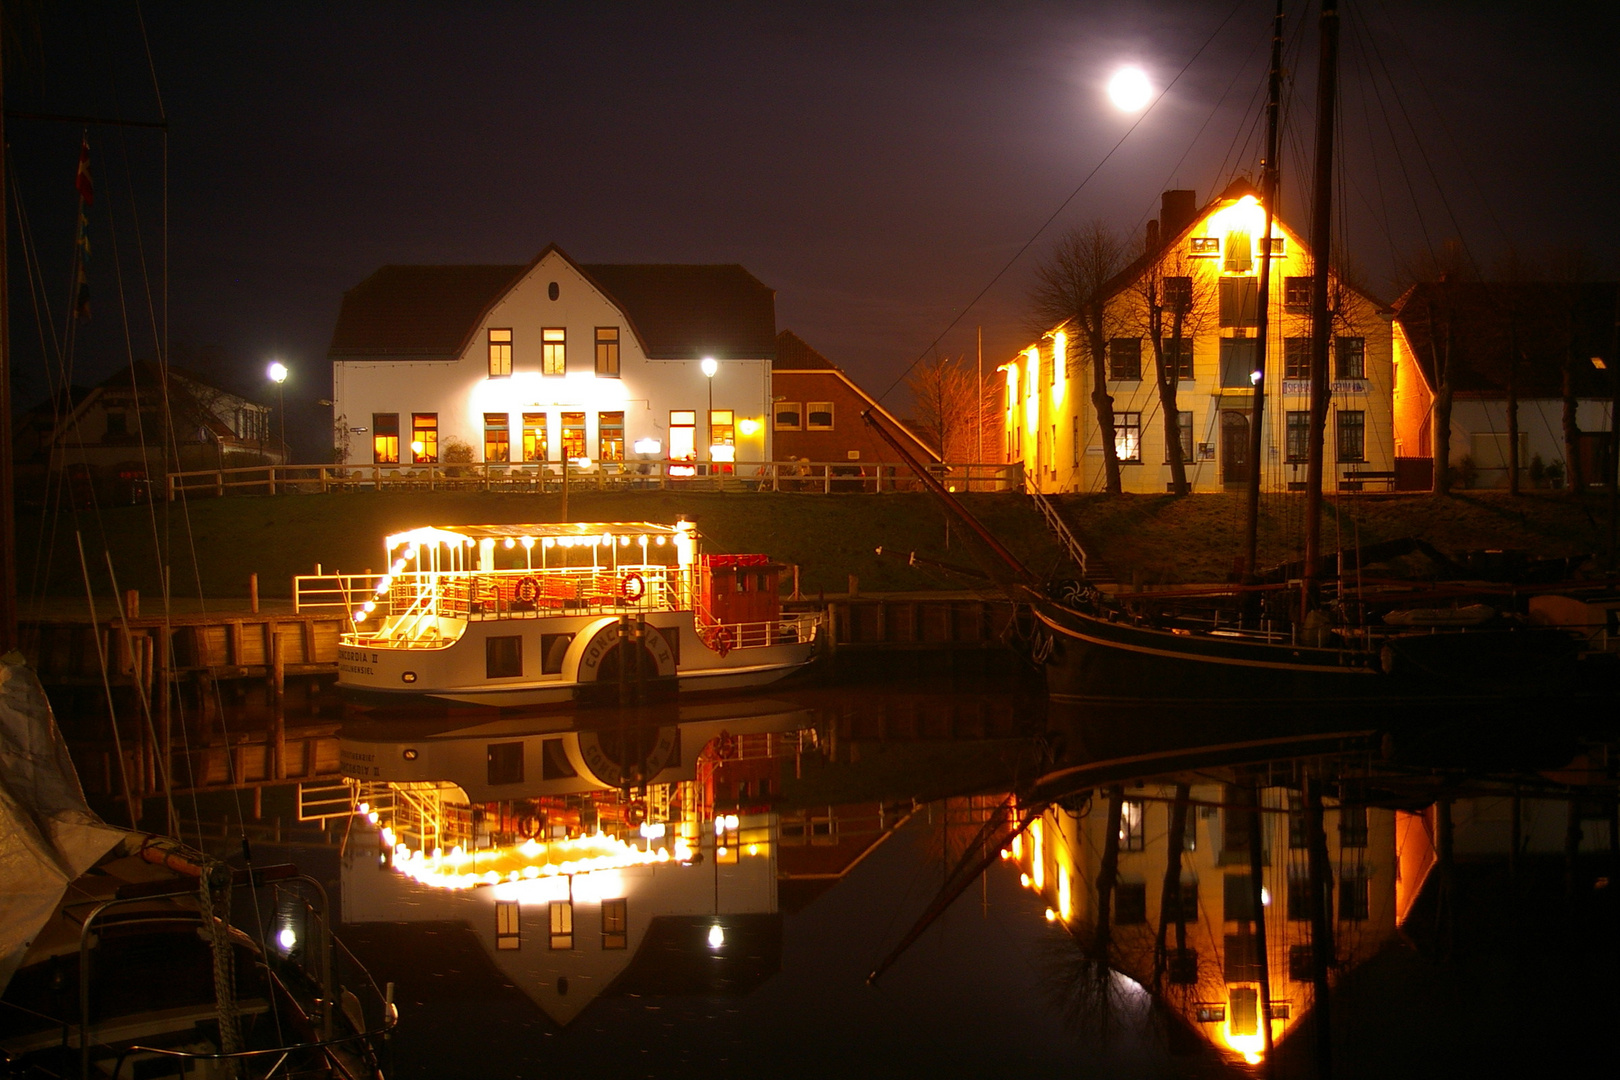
<point x="1321" y="250"/>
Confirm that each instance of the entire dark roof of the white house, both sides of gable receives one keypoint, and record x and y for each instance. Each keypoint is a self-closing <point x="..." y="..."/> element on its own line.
<point x="676" y="312"/>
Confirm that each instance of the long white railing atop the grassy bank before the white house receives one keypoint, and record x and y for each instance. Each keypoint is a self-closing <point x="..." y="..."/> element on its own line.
<point x="787" y="477"/>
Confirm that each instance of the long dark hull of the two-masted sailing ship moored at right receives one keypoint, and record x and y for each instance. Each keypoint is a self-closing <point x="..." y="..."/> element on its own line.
<point x="1096" y="660"/>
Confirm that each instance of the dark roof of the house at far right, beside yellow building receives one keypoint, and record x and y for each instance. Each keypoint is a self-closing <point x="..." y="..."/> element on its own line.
<point x="1540" y="323"/>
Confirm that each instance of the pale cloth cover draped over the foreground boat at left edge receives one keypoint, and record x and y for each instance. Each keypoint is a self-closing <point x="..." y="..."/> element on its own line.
<point x="49" y="836"/>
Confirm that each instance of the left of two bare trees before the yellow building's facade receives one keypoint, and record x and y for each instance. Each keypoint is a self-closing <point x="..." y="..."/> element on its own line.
<point x="1072" y="289"/>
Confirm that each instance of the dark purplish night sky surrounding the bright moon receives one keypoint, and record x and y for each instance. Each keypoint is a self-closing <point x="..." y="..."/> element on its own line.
<point x="876" y="164"/>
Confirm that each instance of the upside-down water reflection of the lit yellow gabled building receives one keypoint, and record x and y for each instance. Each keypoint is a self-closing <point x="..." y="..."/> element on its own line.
<point x="1213" y="982"/>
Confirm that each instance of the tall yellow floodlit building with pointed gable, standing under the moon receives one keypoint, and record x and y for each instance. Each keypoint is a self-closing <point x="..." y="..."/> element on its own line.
<point x="1209" y="261"/>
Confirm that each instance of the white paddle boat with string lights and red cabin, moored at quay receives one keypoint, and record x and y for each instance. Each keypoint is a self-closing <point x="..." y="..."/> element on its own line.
<point x="560" y="613"/>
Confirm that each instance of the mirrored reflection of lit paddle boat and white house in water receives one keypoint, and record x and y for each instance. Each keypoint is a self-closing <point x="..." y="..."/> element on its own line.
<point x="582" y="851"/>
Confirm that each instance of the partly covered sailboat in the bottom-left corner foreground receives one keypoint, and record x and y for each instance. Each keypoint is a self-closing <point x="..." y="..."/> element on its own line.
<point x="122" y="950"/>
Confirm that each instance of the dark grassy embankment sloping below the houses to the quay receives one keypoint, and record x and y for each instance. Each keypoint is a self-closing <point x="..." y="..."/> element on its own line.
<point x="832" y="537"/>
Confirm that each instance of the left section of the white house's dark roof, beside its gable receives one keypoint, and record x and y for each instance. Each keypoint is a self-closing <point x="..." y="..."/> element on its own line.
<point x="417" y="312"/>
